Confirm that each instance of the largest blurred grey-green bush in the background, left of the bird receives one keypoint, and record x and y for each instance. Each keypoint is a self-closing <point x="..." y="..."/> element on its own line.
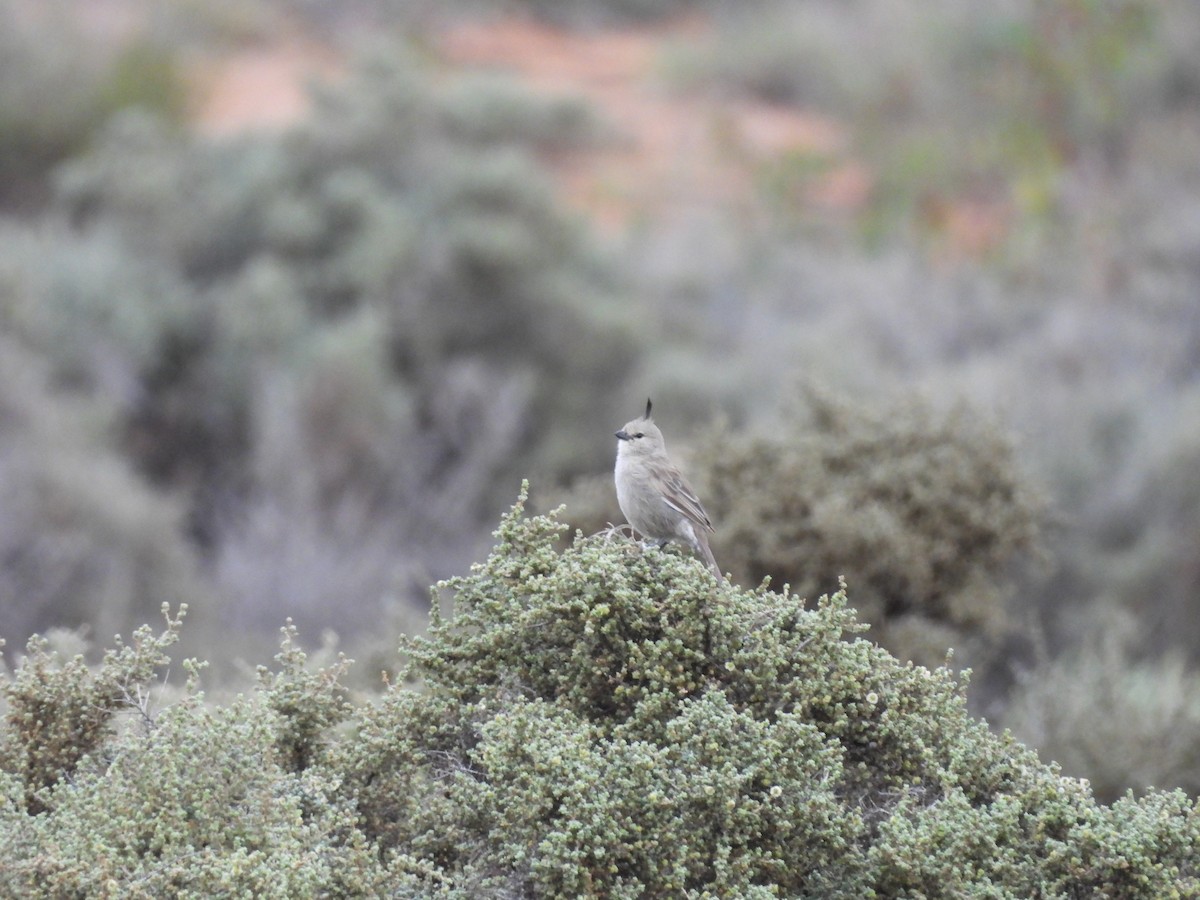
<point x="337" y="347"/>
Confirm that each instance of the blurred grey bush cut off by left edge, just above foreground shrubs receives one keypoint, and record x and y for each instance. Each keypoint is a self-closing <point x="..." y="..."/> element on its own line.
<point x="83" y="539"/>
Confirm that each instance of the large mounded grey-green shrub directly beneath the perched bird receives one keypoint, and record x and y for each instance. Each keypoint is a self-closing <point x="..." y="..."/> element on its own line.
<point x="608" y="721"/>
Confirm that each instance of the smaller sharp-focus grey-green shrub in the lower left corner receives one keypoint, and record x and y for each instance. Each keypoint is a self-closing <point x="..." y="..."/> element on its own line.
<point x="200" y="801"/>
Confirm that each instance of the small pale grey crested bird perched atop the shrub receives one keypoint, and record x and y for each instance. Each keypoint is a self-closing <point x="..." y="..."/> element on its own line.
<point x="655" y="496"/>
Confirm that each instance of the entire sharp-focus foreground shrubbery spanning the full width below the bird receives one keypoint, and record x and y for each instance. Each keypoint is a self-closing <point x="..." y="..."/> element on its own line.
<point x="598" y="721"/>
